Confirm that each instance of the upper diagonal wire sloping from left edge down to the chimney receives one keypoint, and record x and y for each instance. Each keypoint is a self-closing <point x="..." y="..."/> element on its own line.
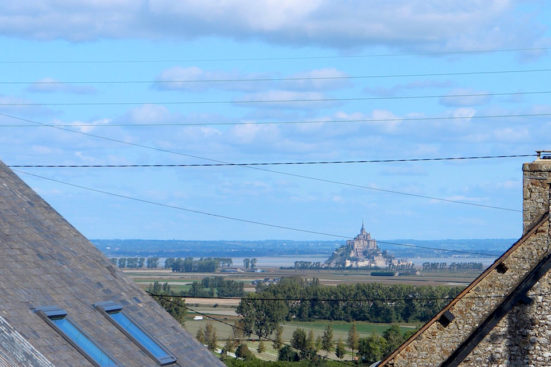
<point x="363" y="187"/>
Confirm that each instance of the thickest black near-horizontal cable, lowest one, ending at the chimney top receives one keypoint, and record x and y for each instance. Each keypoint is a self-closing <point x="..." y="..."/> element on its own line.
<point x="269" y="163"/>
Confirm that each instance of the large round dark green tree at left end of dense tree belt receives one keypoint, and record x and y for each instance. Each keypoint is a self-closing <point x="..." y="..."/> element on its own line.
<point x="261" y="316"/>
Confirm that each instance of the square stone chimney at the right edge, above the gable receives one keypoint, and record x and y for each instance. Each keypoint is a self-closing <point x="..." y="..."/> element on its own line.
<point x="536" y="189"/>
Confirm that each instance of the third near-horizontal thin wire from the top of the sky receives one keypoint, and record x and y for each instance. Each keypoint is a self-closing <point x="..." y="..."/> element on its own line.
<point x="260" y="101"/>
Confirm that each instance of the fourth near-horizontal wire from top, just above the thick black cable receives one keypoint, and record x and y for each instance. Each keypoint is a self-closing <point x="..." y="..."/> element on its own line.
<point x="397" y="119"/>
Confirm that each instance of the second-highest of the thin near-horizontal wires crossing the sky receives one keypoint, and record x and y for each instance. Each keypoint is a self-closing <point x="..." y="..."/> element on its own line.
<point x="274" y="79"/>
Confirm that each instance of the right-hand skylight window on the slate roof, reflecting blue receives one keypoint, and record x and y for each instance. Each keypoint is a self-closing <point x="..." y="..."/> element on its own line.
<point x="114" y="313"/>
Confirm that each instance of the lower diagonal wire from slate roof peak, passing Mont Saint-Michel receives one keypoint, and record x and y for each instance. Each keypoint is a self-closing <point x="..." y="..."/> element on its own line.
<point x="236" y="219"/>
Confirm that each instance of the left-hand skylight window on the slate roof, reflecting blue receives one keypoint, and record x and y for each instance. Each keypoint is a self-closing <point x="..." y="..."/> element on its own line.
<point x="56" y="318"/>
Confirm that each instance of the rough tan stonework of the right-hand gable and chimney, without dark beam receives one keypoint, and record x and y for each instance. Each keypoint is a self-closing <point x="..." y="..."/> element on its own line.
<point x="523" y="337"/>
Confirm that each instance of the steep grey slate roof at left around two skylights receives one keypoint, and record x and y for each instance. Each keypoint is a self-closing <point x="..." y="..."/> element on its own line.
<point x="44" y="261"/>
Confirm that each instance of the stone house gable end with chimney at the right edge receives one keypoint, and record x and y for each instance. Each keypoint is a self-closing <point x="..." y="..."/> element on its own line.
<point x="503" y="318"/>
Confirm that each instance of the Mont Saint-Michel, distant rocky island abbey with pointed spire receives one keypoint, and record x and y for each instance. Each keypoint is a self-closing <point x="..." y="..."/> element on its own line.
<point x="361" y="252"/>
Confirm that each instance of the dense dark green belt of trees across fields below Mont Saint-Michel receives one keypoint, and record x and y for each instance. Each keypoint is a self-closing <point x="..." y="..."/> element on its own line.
<point x="373" y="302"/>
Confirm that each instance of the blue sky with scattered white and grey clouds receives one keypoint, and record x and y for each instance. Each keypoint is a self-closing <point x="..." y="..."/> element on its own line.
<point x="123" y="82"/>
